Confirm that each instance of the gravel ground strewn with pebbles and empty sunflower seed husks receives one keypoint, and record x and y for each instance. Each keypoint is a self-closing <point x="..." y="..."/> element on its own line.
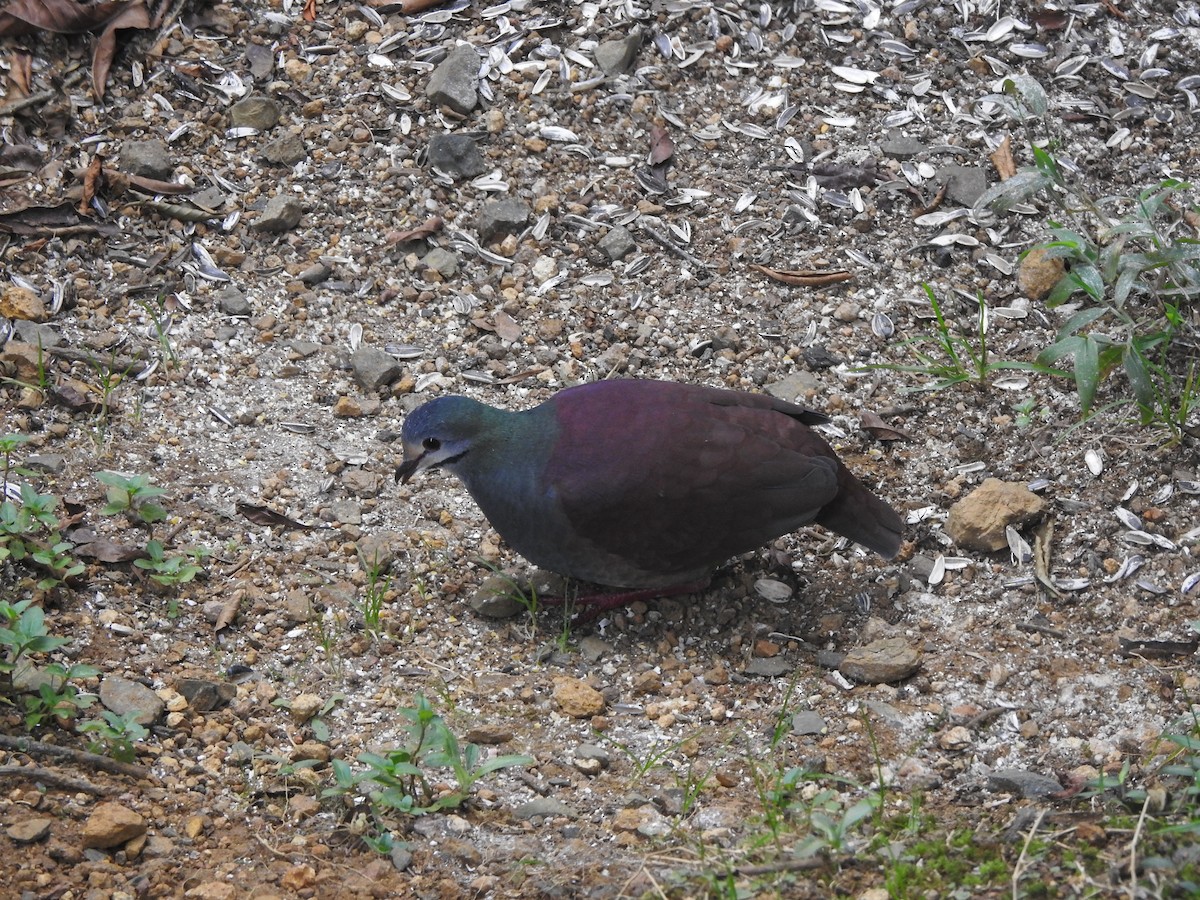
<point x="740" y="194"/>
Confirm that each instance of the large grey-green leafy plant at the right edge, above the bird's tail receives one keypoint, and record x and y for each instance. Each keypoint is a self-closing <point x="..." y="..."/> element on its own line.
<point x="1131" y="261"/>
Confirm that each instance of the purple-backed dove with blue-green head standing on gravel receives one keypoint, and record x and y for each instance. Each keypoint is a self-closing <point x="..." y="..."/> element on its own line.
<point x="645" y="487"/>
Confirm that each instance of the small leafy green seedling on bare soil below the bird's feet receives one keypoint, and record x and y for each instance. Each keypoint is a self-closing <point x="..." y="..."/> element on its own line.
<point x="400" y="781"/>
